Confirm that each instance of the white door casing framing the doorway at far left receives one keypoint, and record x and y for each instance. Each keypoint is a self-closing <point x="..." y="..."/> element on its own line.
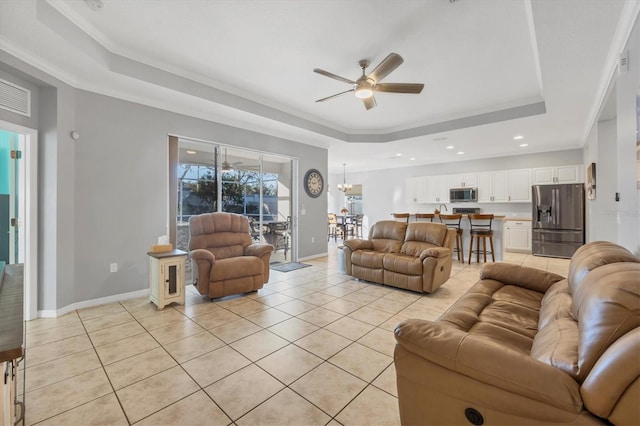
<point x="31" y="217"/>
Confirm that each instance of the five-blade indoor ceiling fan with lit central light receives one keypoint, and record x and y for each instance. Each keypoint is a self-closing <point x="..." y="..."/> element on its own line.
<point x="366" y="85"/>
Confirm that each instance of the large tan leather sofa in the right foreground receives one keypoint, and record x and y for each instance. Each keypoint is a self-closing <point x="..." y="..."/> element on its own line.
<point x="524" y="346"/>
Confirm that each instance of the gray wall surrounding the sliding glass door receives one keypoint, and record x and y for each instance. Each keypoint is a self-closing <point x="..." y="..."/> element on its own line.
<point x="104" y="198"/>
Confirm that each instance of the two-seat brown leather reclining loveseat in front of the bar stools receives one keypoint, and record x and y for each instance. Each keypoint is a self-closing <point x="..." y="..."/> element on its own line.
<point x="415" y="256"/>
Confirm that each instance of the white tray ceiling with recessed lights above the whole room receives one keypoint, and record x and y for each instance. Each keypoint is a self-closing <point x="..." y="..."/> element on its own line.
<point x="492" y="69"/>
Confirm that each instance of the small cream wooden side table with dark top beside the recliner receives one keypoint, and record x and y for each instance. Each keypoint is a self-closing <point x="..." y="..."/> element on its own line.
<point x="166" y="277"/>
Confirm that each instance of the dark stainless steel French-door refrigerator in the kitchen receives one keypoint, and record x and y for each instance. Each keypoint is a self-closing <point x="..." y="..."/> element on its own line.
<point x="558" y="219"/>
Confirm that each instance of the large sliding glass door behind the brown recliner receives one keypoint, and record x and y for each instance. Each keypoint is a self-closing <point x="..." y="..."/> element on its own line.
<point x="229" y="179"/>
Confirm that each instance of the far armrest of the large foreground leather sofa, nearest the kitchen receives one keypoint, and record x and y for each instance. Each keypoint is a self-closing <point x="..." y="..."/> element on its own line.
<point x="521" y="276"/>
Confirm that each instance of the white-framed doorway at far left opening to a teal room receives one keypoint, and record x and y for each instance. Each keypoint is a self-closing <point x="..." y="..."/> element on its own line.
<point x="18" y="206"/>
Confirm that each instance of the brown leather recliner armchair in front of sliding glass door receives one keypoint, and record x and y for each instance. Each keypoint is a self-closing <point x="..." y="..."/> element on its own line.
<point x="223" y="257"/>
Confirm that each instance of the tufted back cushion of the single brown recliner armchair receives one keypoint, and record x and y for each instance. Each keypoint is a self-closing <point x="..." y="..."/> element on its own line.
<point x="223" y="234"/>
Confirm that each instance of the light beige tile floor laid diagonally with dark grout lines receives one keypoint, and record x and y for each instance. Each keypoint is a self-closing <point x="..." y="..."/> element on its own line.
<point x="313" y="347"/>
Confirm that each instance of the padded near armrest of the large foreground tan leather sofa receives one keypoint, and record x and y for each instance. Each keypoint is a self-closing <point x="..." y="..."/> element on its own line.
<point x="490" y="362"/>
